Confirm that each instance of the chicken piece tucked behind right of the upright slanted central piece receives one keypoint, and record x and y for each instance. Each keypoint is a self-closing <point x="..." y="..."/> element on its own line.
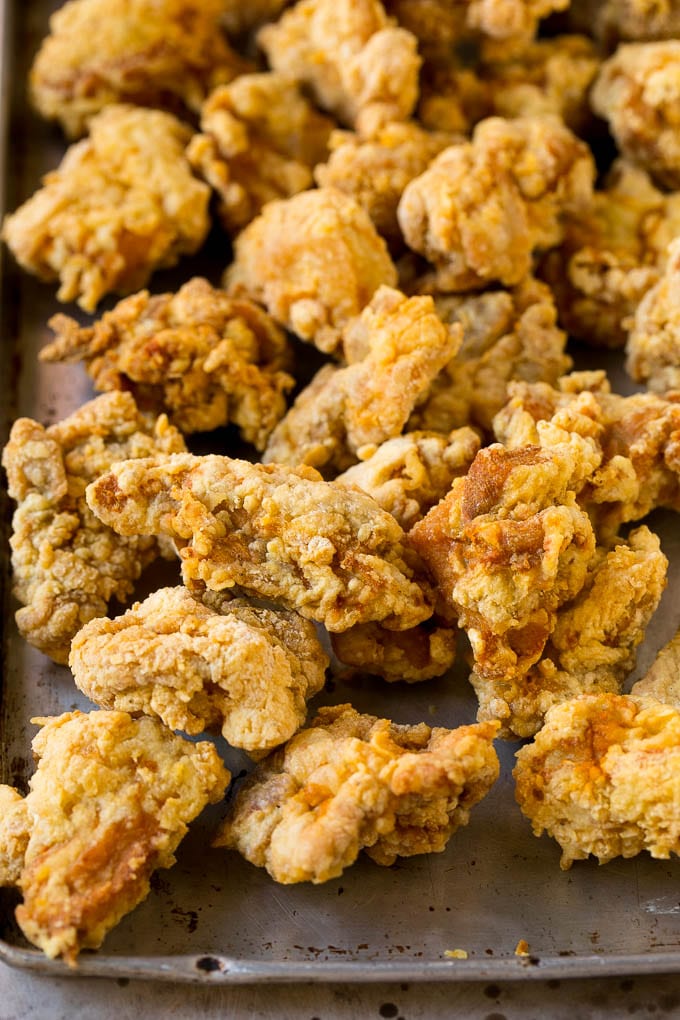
<point x="507" y="335"/>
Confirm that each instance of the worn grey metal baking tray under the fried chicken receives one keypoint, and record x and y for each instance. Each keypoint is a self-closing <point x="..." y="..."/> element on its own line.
<point x="215" y="919"/>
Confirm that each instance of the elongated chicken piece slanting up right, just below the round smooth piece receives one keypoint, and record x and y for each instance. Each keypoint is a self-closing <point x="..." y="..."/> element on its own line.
<point x="396" y="348"/>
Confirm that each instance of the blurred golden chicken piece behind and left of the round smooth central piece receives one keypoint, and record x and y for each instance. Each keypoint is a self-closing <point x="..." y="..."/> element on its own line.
<point x="261" y="139"/>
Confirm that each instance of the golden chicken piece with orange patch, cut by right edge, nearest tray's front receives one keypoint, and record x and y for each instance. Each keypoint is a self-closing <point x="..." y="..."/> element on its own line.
<point x="602" y="778"/>
